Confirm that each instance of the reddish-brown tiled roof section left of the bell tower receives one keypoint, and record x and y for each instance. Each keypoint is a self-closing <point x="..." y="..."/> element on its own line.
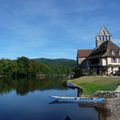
<point x="83" y="53"/>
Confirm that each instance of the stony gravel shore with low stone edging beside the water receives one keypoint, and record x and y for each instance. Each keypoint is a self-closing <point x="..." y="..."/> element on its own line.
<point x="111" y="110"/>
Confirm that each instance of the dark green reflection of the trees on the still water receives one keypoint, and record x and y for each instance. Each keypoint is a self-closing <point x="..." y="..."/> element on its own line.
<point x="24" y="86"/>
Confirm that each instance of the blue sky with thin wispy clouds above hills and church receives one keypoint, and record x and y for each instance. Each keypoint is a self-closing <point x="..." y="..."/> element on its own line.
<point x="54" y="28"/>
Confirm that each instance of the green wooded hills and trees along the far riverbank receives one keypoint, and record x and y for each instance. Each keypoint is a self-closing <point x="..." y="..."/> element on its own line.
<point x="25" y="67"/>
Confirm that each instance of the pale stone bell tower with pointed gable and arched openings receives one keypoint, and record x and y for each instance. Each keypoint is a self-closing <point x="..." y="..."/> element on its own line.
<point x="102" y="36"/>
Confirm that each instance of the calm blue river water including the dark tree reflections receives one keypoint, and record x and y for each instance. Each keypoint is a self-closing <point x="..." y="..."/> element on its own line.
<point x="29" y="100"/>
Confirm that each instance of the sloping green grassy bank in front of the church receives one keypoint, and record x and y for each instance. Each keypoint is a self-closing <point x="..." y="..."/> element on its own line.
<point x="91" y="84"/>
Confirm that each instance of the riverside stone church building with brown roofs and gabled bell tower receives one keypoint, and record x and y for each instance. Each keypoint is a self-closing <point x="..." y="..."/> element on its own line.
<point x="104" y="58"/>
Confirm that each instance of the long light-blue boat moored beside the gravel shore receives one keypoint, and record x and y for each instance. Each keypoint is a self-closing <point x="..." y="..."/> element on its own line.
<point x="78" y="99"/>
